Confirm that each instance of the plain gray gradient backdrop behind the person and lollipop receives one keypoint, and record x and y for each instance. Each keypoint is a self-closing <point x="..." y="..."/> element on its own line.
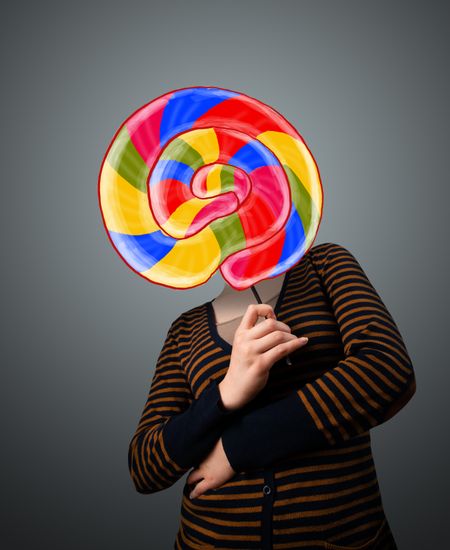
<point x="363" y="82"/>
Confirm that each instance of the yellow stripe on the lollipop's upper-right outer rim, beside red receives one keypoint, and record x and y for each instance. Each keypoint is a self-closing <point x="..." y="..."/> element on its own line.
<point x="295" y="154"/>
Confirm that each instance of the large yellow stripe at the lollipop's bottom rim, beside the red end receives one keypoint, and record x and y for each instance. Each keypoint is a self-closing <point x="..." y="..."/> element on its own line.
<point x="190" y="262"/>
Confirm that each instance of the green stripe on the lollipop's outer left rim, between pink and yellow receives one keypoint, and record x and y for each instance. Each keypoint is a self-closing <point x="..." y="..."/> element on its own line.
<point x="125" y="160"/>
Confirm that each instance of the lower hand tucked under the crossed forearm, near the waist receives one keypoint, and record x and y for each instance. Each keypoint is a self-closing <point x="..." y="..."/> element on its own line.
<point x="213" y="471"/>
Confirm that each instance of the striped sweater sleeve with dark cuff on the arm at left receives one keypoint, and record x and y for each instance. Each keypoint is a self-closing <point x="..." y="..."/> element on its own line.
<point x="175" y="430"/>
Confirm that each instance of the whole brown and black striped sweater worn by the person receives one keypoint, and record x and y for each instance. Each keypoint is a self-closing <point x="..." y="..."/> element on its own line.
<point x="301" y="449"/>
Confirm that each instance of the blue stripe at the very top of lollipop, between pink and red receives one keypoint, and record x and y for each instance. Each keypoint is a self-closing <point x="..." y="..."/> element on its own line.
<point x="186" y="106"/>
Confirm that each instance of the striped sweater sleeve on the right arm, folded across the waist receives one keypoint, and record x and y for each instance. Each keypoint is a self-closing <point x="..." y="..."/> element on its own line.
<point x="368" y="386"/>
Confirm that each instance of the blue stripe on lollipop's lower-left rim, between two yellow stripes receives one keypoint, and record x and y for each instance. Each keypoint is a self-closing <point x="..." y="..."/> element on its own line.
<point x="141" y="252"/>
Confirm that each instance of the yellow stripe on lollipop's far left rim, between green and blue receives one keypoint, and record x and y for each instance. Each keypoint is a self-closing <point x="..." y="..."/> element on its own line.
<point x="125" y="208"/>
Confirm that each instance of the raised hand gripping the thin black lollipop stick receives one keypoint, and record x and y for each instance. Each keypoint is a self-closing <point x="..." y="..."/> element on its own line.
<point x="255" y="349"/>
